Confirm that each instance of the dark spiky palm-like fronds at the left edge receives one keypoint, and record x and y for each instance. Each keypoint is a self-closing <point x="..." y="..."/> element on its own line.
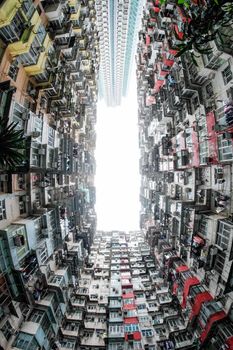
<point x="12" y="145"/>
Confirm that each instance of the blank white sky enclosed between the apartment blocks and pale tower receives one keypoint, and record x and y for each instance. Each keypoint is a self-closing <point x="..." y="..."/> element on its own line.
<point x="117" y="165"/>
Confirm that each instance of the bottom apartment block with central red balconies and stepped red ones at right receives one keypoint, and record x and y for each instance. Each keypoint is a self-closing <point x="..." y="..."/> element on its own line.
<point x="133" y="301"/>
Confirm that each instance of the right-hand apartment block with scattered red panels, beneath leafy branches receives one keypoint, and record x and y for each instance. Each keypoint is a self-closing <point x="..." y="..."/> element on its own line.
<point x="186" y="162"/>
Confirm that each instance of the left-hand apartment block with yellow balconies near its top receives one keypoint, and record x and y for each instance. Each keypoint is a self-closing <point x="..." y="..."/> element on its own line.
<point x="48" y="88"/>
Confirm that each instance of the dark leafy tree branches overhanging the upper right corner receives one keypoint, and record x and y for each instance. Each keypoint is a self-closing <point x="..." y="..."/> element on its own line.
<point x="207" y="20"/>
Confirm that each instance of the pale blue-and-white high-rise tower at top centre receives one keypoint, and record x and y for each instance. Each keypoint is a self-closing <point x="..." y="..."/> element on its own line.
<point x="117" y="23"/>
